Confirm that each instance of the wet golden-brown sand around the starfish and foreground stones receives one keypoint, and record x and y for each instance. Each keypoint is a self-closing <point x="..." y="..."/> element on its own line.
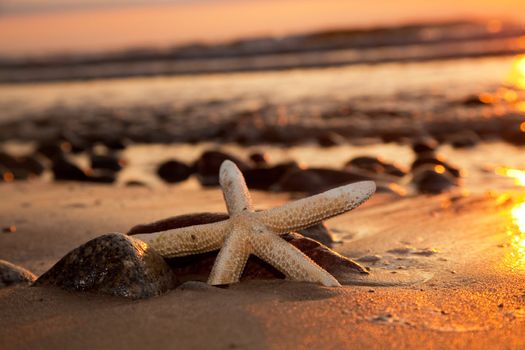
<point x="454" y="266"/>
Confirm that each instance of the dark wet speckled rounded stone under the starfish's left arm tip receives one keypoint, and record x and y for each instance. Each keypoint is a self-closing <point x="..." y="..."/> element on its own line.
<point x="112" y="264"/>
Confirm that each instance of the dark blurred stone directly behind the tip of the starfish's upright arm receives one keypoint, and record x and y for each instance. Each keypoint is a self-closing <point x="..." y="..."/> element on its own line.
<point x="208" y="165"/>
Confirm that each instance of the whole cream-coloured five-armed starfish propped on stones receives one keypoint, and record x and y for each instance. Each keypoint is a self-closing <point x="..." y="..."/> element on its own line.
<point x="258" y="232"/>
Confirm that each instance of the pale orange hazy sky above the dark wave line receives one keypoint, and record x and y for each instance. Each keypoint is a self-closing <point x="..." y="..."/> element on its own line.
<point x="40" y="27"/>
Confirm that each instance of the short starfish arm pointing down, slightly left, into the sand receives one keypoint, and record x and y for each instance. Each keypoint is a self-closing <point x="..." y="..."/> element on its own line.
<point x="231" y="260"/>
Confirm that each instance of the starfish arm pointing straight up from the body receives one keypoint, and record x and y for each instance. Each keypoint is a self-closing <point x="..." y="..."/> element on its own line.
<point x="234" y="188"/>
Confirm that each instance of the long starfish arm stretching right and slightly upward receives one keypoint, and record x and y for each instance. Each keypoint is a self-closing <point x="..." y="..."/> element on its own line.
<point x="312" y="210"/>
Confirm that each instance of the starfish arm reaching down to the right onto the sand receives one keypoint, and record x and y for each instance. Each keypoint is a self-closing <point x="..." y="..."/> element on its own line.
<point x="289" y="260"/>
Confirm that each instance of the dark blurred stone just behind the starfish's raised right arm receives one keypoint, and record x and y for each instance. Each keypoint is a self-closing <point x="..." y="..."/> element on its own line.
<point x="317" y="180"/>
